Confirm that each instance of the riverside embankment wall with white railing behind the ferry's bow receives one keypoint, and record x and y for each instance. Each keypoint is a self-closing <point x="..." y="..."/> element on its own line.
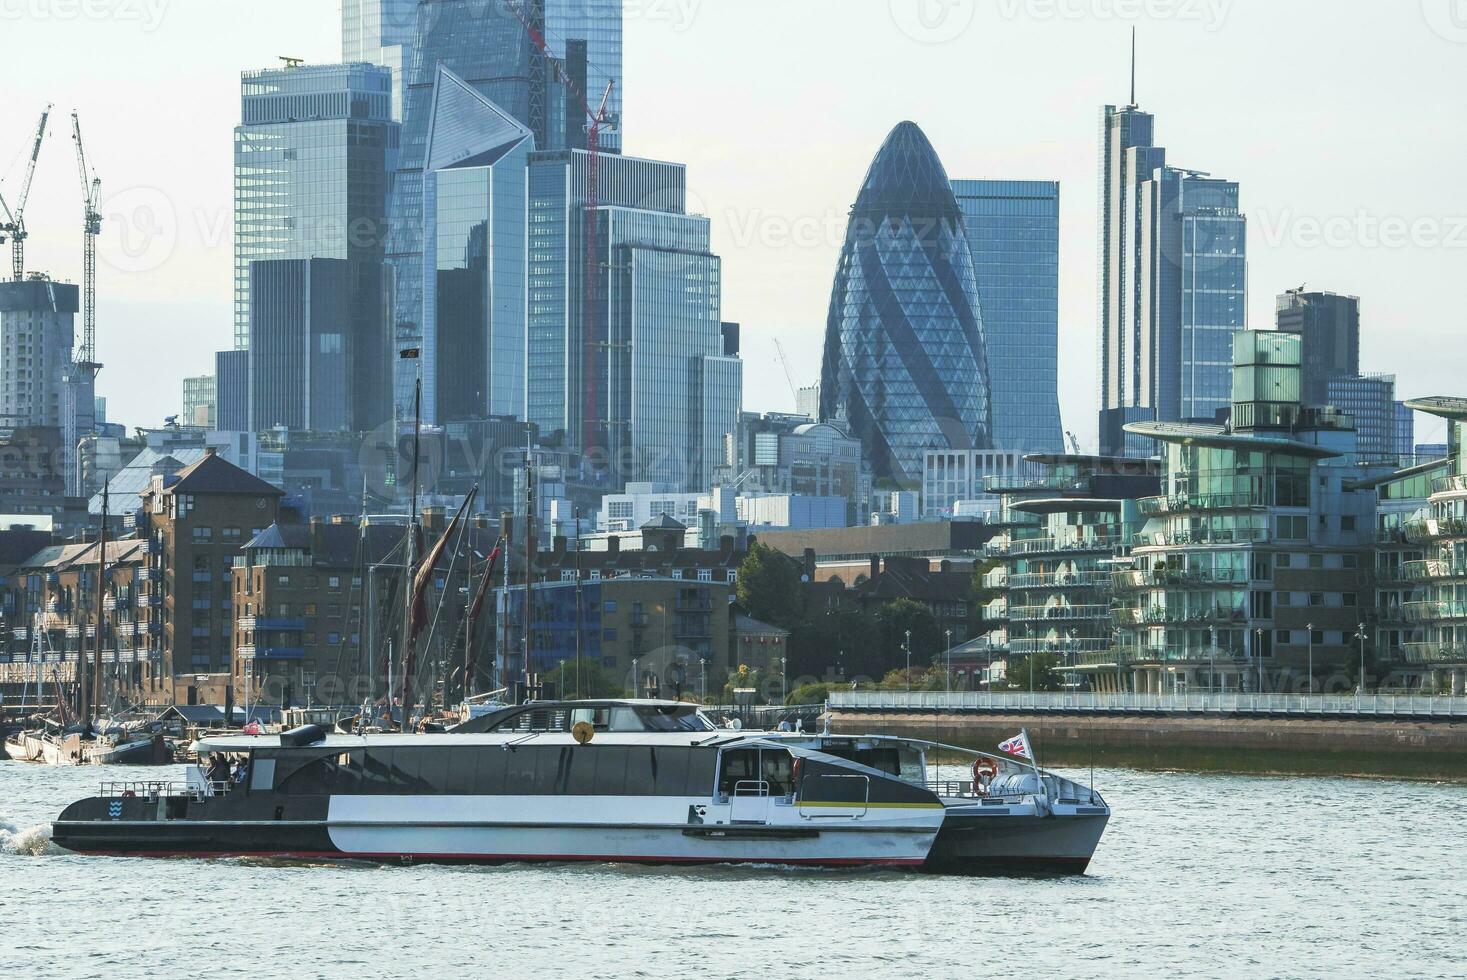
<point x="1369" y="736"/>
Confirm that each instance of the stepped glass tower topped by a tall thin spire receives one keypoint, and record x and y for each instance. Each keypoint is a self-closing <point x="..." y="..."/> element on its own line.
<point x="1173" y="285"/>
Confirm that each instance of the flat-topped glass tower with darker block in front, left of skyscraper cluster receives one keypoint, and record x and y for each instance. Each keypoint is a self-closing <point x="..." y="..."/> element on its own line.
<point x="310" y="183"/>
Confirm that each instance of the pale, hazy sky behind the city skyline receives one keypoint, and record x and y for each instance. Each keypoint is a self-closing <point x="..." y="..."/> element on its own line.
<point x="1345" y="121"/>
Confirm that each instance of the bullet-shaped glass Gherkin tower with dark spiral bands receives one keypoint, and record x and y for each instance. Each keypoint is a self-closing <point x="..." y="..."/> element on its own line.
<point x="904" y="362"/>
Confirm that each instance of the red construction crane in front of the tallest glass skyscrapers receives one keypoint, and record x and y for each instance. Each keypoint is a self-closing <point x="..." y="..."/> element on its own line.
<point x="598" y="120"/>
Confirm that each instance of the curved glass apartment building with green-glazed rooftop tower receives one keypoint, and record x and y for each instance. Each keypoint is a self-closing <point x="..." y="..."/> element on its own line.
<point x="1252" y="570"/>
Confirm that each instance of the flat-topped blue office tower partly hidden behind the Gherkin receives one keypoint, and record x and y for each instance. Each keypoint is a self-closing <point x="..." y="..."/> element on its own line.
<point x="1013" y="230"/>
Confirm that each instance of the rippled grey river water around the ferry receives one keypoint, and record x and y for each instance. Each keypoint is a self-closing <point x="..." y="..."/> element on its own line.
<point x="1211" y="877"/>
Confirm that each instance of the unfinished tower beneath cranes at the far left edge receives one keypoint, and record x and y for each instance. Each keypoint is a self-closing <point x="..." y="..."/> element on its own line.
<point x="37" y="337"/>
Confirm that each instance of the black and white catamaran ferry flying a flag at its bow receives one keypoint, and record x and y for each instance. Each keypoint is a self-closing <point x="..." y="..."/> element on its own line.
<point x="651" y="783"/>
